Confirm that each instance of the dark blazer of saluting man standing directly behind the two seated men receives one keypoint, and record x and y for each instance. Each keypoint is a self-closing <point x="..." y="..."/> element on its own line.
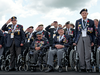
<point x="51" y="31"/>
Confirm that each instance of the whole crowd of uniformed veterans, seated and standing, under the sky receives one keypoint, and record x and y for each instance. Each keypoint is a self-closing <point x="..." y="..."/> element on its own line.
<point x="56" y="39"/>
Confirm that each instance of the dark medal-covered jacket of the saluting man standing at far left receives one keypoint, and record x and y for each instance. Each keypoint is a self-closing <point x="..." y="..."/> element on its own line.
<point x="19" y="35"/>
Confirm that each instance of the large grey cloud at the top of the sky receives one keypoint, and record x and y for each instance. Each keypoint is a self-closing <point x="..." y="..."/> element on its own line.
<point x="47" y="5"/>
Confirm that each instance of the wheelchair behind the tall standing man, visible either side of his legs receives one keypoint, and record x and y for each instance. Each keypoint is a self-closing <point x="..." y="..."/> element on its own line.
<point x="74" y="60"/>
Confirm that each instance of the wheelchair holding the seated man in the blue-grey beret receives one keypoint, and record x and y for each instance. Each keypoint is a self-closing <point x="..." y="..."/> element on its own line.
<point x="41" y="63"/>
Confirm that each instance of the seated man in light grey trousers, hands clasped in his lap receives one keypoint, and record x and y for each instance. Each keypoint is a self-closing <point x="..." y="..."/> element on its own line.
<point x="60" y="44"/>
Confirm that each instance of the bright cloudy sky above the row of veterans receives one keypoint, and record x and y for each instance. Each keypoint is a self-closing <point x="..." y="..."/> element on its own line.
<point x="35" y="12"/>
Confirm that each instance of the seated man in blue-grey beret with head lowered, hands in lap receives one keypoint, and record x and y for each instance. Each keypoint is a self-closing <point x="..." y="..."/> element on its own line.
<point x="38" y="46"/>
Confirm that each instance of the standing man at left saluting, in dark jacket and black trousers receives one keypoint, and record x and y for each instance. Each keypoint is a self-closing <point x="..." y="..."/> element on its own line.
<point x="15" y="38"/>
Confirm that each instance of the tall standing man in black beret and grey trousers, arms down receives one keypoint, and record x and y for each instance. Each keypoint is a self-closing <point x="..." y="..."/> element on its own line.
<point x="84" y="39"/>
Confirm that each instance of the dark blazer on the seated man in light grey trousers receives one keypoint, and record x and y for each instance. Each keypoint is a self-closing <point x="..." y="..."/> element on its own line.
<point x="66" y="41"/>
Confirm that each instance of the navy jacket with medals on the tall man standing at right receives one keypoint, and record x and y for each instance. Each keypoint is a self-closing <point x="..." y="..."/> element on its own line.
<point x="78" y="30"/>
